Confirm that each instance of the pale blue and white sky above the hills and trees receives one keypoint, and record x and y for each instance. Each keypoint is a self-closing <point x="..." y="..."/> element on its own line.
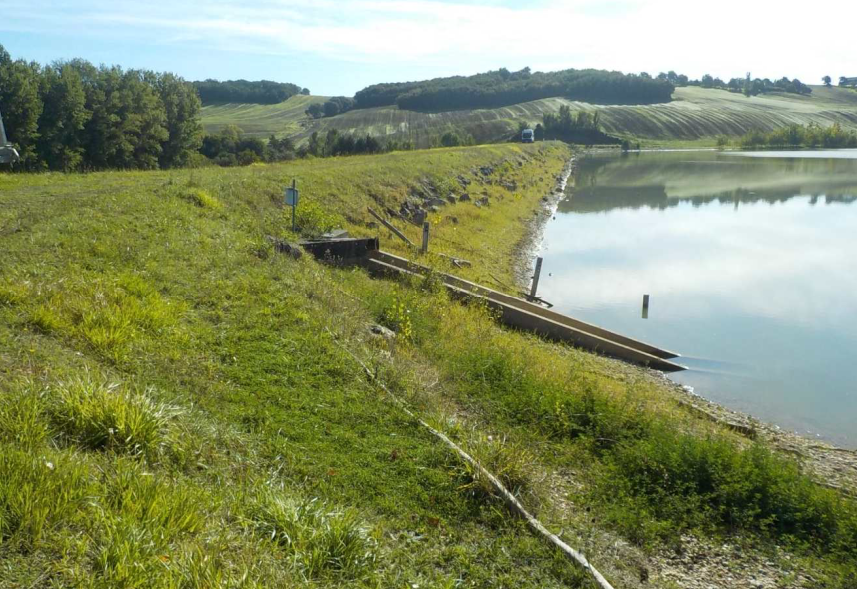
<point x="336" y="47"/>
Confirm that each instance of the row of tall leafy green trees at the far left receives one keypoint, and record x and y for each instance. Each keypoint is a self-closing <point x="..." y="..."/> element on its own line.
<point x="72" y="116"/>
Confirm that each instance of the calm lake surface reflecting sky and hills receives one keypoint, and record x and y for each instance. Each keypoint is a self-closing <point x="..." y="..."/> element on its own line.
<point x="751" y="263"/>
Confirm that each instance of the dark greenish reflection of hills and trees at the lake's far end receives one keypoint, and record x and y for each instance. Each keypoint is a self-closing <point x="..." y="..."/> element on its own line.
<point x="661" y="181"/>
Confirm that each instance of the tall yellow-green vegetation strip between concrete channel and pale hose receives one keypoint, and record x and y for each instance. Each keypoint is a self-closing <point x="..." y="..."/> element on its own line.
<point x="662" y="473"/>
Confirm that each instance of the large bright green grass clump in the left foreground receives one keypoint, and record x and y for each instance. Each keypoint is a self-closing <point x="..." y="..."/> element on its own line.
<point x="102" y="416"/>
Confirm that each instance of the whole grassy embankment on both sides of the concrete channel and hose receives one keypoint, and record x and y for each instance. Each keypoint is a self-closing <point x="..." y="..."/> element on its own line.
<point x="179" y="408"/>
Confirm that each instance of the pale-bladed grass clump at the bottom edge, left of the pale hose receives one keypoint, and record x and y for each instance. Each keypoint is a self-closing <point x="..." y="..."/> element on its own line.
<point x="319" y="541"/>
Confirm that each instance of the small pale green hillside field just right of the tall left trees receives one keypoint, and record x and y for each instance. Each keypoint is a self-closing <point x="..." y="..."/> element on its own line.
<point x="261" y="120"/>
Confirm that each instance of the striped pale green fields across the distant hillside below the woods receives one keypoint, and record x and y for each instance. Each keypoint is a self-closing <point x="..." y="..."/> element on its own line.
<point x="695" y="117"/>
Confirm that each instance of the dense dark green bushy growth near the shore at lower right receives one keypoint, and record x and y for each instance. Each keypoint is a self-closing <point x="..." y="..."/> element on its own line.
<point x="706" y="482"/>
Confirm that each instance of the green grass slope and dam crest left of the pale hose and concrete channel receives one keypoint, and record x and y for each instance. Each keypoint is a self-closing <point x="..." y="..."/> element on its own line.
<point x="175" y="413"/>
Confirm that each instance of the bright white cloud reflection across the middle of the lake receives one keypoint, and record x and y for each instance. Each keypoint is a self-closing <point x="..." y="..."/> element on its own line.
<point x="785" y="261"/>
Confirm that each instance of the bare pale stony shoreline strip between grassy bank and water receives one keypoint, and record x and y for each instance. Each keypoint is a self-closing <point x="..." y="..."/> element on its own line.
<point x="834" y="467"/>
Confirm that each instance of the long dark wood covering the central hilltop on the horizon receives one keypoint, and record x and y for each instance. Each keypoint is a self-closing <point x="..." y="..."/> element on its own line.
<point x="502" y="88"/>
